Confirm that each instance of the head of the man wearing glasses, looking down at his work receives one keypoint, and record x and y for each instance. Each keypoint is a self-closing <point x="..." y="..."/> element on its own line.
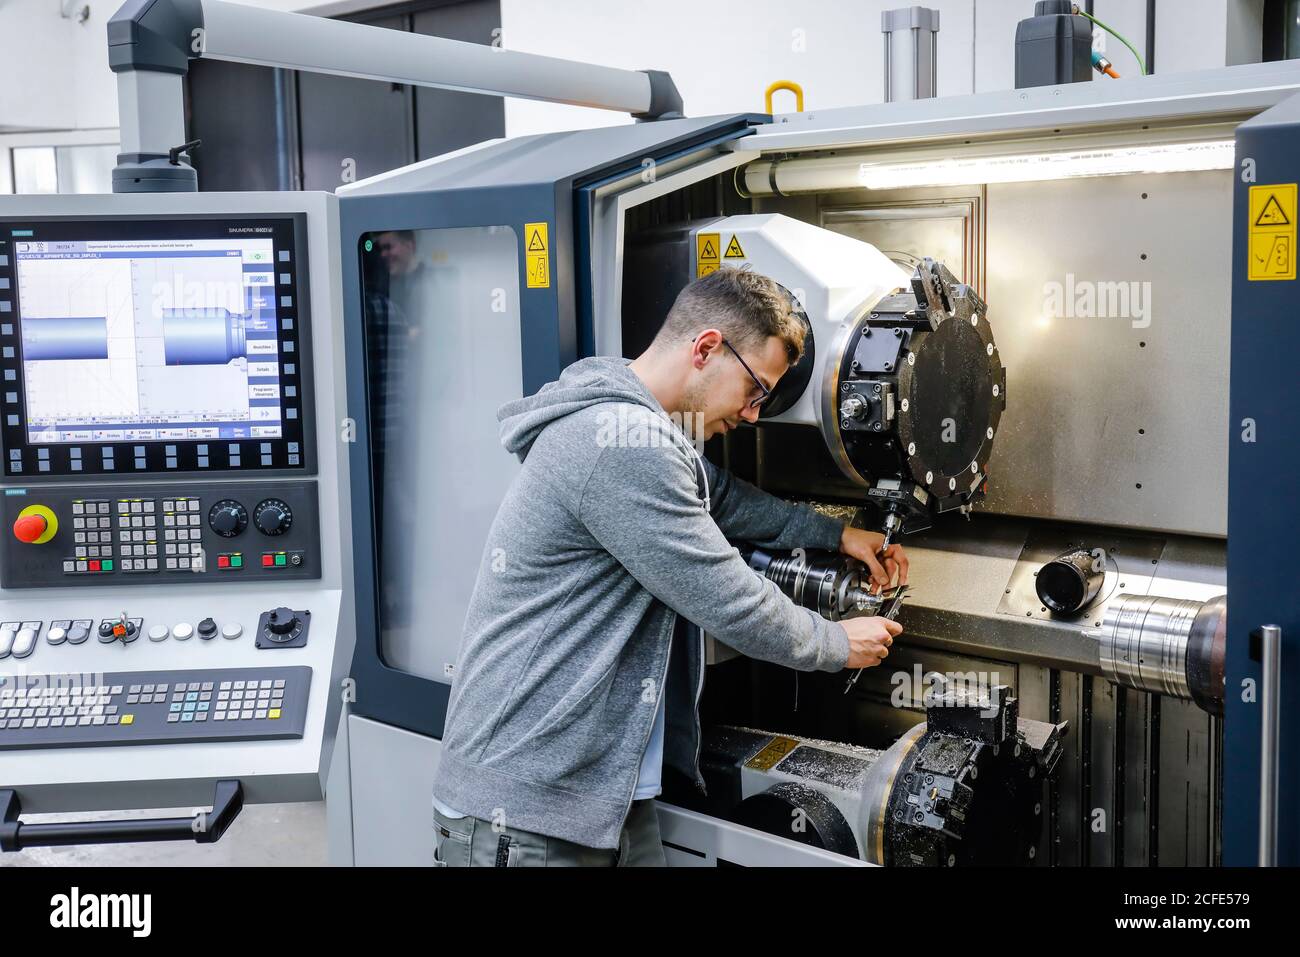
<point x="718" y="326"/>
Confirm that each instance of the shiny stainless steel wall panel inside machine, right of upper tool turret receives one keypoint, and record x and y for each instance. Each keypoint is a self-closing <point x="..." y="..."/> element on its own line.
<point x="1116" y="421"/>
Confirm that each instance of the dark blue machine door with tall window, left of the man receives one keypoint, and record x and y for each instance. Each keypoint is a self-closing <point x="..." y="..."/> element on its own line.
<point x="462" y="283"/>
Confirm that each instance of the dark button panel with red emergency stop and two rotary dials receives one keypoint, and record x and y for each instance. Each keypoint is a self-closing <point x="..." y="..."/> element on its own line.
<point x="96" y="536"/>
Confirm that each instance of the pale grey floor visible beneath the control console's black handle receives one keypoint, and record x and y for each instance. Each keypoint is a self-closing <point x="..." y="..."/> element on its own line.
<point x="263" y="835"/>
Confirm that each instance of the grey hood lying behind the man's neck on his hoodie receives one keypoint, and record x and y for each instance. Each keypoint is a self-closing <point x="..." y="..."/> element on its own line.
<point x="586" y="383"/>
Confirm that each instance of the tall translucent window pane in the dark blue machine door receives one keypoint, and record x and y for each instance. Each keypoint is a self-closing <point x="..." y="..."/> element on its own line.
<point x="443" y="341"/>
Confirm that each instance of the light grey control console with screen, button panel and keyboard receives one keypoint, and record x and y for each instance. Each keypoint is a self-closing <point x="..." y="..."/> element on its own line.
<point x="175" y="564"/>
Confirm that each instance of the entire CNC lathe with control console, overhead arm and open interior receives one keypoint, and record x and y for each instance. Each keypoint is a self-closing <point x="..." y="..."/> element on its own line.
<point x="250" y="456"/>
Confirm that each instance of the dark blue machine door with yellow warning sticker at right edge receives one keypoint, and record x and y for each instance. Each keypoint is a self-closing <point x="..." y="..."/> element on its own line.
<point x="1263" y="703"/>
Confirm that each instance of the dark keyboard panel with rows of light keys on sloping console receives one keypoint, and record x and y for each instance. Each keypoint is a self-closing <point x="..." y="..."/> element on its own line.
<point x="135" y="708"/>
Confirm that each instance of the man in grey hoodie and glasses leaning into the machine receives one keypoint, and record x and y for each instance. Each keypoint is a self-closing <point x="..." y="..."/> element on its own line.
<point x="583" y="659"/>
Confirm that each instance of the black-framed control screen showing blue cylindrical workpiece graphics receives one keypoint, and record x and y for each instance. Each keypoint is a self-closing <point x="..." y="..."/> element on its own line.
<point x="162" y="345"/>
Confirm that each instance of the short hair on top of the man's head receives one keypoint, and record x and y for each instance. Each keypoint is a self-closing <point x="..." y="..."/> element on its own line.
<point x="746" y="306"/>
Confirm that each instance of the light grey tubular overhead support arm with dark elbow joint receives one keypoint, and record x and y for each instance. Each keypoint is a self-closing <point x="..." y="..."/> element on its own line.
<point x="151" y="44"/>
